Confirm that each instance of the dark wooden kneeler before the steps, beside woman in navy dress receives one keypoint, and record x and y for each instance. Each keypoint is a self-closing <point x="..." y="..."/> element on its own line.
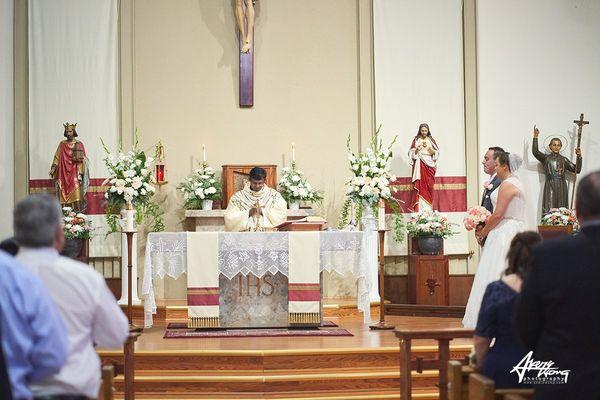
<point x="443" y="336"/>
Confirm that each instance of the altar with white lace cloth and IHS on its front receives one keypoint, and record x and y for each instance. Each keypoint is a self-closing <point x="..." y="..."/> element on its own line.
<point x="255" y="279"/>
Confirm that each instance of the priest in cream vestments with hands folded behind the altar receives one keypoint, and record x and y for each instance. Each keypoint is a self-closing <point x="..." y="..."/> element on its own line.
<point x="256" y="207"/>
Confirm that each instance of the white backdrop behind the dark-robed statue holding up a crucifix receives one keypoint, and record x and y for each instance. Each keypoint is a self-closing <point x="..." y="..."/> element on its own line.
<point x="538" y="63"/>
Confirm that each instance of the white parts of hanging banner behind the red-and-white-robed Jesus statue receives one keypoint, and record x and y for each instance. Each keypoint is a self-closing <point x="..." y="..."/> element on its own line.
<point x="419" y="78"/>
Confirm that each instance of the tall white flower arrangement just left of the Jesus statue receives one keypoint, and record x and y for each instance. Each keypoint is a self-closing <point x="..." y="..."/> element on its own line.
<point x="370" y="182"/>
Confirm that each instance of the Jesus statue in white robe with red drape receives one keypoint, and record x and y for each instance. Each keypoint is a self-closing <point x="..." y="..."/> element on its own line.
<point x="423" y="155"/>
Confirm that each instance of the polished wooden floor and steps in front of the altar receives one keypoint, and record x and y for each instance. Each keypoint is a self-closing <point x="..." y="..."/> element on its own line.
<point x="363" y="366"/>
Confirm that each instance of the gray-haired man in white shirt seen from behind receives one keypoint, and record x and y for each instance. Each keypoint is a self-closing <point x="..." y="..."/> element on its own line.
<point x="85" y="303"/>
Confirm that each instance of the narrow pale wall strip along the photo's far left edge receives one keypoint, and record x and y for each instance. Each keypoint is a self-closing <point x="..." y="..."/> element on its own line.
<point x="7" y="190"/>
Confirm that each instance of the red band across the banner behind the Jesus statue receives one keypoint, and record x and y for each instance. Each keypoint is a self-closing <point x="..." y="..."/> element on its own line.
<point x="449" y="194"/>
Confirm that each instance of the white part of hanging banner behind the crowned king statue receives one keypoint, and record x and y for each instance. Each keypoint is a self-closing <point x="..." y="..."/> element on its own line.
<point x="72" y="77"/>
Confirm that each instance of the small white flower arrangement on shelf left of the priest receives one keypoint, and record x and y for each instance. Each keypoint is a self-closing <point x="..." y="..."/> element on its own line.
<point x="201" y="185"/>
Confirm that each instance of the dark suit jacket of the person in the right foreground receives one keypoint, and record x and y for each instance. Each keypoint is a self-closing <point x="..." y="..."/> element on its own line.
<point x="558" y="316"/>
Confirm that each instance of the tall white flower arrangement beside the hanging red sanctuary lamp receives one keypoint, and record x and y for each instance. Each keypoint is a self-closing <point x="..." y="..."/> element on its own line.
<point x="130" y="182"/>
